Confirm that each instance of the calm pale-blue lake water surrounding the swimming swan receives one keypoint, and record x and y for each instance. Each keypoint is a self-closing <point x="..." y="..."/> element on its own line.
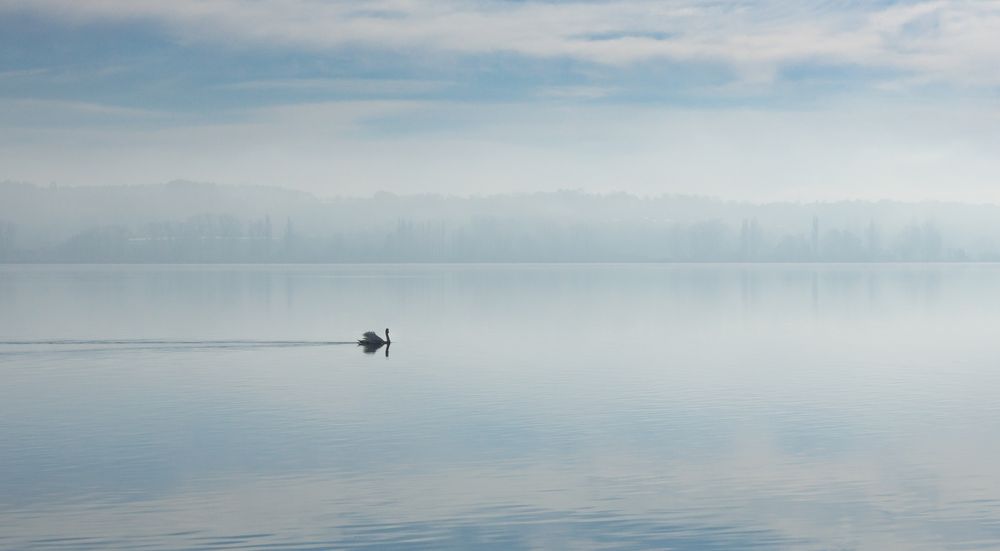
<point x="520" y="406"/>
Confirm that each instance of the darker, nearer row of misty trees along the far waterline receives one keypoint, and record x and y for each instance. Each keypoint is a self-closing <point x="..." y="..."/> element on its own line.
<point x="225" y="238"/>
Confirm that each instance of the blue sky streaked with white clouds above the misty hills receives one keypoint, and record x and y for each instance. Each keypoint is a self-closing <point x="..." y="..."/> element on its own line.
<point x="752" y="100"/>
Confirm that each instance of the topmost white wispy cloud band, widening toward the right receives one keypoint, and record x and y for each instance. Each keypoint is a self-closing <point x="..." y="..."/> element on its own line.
<point x="940" y="40"/>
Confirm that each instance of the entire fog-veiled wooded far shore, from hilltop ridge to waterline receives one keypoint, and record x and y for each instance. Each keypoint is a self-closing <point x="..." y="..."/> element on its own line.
<point x="201" y="223"/>
